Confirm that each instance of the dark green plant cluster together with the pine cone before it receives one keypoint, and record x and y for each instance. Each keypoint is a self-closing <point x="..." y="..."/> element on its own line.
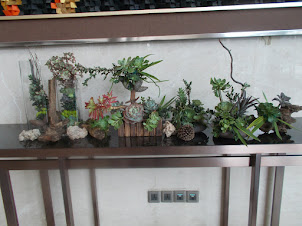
<point x="188" y="114"/>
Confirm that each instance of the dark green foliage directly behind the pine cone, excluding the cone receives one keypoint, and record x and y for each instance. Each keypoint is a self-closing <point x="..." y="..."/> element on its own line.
<point x="187" y="113"/>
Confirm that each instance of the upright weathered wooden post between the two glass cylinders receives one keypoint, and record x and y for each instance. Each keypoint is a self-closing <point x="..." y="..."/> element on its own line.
<point x="52" y="99"/>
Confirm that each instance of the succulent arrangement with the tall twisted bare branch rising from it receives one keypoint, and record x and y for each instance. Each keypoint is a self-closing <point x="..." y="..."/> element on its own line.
<point x="230" y="119"/>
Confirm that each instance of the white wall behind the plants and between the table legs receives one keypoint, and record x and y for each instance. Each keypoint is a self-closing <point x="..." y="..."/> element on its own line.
<point x="270" y="65"/>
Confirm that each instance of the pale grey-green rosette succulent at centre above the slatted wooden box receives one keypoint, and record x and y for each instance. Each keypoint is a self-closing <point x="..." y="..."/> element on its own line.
<point x="134" y="113"/>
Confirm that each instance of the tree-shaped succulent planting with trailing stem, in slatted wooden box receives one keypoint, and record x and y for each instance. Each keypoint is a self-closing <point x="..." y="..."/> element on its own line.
<point x="131" y="73"/>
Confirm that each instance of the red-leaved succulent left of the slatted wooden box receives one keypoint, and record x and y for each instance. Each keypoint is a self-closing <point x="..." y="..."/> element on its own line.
<point x="104" y="104"/>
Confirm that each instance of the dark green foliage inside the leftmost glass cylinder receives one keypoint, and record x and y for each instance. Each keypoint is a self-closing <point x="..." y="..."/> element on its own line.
<point x="38" y="96"/>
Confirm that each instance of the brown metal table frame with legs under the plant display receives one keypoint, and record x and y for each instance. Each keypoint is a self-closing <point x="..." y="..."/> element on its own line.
<point x="254" y="156"/>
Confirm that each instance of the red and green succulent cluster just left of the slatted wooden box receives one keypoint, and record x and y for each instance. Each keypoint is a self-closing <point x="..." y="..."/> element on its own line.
<point x="99" y="123"/>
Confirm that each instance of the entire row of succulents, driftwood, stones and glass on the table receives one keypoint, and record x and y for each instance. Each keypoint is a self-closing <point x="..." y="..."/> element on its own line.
<point x="143" y="116"/>
